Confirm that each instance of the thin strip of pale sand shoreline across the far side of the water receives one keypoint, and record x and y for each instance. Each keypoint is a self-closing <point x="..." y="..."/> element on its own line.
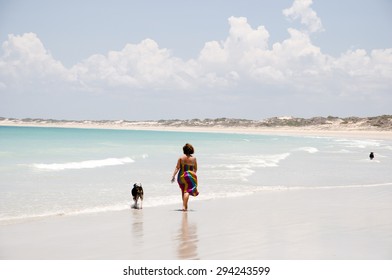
<point x="317" y="131"/>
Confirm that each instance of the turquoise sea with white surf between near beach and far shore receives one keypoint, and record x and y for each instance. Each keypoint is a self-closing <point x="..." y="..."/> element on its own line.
<point x="63" y="171"/>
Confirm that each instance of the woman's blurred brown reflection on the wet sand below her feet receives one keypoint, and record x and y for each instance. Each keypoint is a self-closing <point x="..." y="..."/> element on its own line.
<point x="187" y="239"/>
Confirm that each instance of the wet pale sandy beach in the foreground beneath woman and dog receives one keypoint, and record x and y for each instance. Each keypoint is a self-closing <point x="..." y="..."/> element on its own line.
<point x="326" y="224"/>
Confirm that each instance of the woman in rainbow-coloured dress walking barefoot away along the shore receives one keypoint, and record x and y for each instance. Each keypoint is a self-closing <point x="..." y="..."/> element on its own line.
<point x="187" y="179"/>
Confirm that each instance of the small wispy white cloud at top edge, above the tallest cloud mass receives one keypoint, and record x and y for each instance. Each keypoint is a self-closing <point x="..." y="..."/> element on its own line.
<point x="301" y="10"/>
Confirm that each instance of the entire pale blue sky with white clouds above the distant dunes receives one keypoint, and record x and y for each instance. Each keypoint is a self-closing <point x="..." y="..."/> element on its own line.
<point x="195" y="59"/>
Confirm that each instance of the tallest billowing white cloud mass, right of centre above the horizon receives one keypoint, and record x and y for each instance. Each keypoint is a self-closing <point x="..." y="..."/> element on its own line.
<point x="246" y="52"/>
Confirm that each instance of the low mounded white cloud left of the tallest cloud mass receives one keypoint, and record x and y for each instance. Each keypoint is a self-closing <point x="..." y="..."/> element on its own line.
<point x="142" y="65"/>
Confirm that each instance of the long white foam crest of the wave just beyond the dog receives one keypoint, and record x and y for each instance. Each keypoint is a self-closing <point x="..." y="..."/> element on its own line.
<point x="83" y="164"/>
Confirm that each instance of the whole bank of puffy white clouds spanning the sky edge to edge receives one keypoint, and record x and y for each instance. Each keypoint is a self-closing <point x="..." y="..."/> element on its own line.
<point x="243" y="62"/>
